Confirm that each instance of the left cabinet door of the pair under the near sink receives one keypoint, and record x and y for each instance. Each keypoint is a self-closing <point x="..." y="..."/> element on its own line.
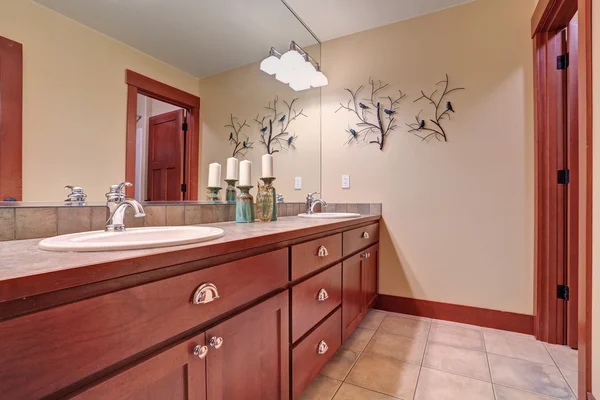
<point x="174" y="374"/>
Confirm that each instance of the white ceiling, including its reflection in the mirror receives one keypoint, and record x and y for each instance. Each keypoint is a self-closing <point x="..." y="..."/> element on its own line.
<point x="205" y="37"/>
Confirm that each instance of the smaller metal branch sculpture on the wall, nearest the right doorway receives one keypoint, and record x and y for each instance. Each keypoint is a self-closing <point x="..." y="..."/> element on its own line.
<point x="421" y="128"/>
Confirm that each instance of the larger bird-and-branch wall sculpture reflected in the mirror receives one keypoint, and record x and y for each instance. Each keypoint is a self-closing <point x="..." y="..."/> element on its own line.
<point x="274" y="126"/>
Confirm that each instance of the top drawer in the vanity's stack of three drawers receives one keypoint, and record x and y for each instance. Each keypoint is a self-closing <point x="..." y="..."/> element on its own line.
<point x="310" y="256"/>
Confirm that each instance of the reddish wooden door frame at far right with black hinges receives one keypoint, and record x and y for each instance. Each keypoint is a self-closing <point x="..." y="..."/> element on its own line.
<point x="548" y="17"/>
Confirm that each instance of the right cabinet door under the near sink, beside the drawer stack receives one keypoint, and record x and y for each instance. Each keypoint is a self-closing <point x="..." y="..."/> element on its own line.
<point x="249" y="354"/>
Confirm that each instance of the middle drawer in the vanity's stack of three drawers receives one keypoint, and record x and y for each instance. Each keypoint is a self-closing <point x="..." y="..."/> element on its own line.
<point x="314" y="299"/>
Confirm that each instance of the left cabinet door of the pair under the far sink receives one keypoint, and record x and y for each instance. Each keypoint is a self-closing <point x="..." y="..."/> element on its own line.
<point x="353" y="297"/>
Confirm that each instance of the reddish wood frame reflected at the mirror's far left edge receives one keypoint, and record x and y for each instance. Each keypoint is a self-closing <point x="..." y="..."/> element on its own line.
<point x="11" y="119"/>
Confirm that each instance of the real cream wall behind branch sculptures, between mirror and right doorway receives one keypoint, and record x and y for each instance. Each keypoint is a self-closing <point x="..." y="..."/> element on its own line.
<point x="457" y="216"/>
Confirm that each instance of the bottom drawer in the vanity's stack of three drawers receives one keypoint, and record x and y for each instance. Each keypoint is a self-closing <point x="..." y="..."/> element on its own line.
<point x="306" y="358"/>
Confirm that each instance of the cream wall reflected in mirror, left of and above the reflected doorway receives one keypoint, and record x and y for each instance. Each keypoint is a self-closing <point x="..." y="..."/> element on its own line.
<point x="74" y="100"/>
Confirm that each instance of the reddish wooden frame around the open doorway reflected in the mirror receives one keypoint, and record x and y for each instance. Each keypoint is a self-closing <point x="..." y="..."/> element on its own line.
<point x="140" y="84"/>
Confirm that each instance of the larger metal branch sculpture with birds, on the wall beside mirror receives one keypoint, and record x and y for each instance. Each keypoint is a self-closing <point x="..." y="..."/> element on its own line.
<point x="373" y="132"/>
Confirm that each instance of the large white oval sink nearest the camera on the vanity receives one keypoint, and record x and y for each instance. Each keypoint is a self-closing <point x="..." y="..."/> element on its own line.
<point x="131" y="239"/>
